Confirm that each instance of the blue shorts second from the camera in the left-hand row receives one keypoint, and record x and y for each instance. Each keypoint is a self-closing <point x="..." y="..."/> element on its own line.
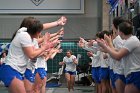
<point x="29" y="75"/>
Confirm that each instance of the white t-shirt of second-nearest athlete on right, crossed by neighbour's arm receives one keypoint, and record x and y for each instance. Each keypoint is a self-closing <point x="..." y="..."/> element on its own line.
<point x="118" y="65"/>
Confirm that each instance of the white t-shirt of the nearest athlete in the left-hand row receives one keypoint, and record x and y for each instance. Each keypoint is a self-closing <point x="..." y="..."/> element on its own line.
<point x="16" y="57"/>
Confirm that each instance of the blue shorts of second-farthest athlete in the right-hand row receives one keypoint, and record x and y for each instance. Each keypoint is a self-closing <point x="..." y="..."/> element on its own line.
<point x="104" y="74"/>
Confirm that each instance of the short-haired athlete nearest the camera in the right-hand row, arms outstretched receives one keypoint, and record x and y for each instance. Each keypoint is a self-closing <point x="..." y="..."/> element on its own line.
<point x="130" y="53"/>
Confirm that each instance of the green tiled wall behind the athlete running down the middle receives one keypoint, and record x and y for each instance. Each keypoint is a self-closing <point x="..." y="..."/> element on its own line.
<point x="53" y="65"/>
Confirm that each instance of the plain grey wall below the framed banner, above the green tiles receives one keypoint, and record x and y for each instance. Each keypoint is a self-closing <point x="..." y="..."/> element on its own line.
<point x="85" y="25"/>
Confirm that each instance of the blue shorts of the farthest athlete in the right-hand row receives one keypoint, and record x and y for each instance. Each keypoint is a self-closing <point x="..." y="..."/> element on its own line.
<point x="96" y="74"/>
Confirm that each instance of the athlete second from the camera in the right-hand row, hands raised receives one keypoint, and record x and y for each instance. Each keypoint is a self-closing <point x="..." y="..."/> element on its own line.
<point x="116" y="68"/>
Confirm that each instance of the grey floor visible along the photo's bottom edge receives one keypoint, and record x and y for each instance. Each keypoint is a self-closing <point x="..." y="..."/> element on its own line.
<point x="77" y="89"/>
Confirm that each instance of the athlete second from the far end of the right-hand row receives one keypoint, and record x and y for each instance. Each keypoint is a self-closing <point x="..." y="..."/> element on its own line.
<point x="104" y="70"/>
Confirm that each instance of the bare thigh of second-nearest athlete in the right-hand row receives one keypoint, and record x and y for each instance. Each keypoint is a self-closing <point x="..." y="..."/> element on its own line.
<point x="120" y="86"/>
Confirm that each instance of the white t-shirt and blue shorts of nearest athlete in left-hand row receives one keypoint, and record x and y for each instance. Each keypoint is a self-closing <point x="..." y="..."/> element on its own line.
<point x="16" y="60"/>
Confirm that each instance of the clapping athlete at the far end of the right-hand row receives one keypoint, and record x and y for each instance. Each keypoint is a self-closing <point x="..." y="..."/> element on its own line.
<point x="93" y="47"/>
